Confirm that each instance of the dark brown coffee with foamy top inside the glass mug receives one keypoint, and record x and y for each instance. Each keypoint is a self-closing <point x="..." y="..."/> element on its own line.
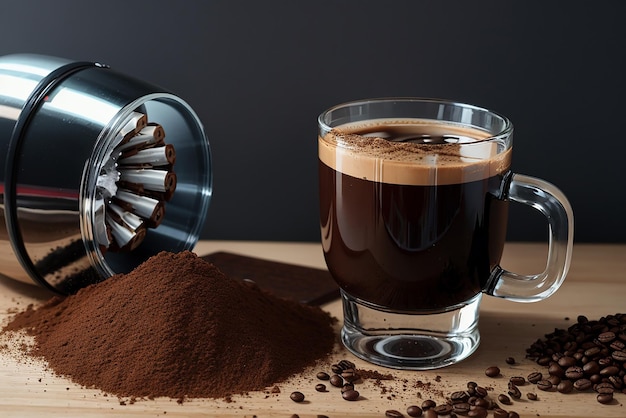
<point x="410" y="220"/>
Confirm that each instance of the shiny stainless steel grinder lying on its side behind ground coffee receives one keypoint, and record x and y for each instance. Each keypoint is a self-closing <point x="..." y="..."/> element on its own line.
<point x="98" y="172"/>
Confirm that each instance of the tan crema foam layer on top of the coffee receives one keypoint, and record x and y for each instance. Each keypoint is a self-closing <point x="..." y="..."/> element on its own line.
<point x="378" y="150"/>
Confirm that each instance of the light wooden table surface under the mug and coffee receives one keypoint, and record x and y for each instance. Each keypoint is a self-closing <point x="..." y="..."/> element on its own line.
<point x="595" y="287"/>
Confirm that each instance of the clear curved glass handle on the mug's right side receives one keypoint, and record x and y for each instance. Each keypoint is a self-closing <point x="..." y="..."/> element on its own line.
<point x="553" y="204"/>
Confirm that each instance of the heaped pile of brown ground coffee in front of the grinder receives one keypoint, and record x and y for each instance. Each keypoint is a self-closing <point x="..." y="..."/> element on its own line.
<point x="176" y="327"/>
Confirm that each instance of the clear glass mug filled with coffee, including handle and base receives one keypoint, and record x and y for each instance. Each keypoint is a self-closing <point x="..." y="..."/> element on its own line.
<point x="414" y="197"/>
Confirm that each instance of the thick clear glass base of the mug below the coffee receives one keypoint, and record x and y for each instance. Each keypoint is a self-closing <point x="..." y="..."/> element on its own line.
<point x="410" y="341"/>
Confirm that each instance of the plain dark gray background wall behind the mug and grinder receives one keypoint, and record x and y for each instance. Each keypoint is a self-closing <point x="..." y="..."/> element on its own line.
<point x="259" y="72"/>
